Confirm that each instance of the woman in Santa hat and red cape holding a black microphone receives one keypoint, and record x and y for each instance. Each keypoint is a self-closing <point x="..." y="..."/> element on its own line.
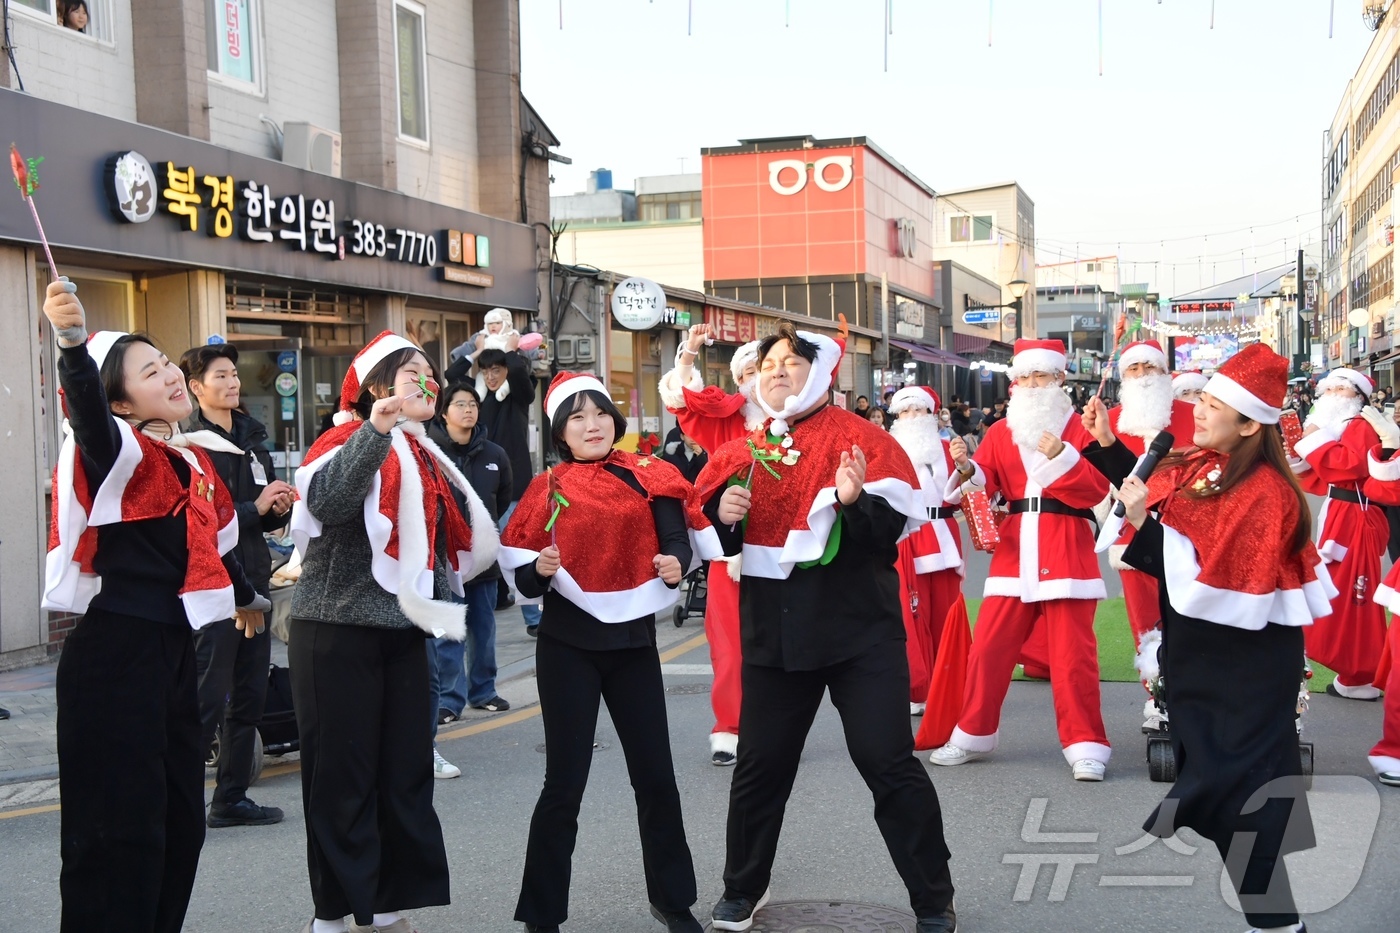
<point x="1230" y="543"/>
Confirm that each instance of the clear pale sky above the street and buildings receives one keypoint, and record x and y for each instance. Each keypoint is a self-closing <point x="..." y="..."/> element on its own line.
<point x="1192" y="132"/>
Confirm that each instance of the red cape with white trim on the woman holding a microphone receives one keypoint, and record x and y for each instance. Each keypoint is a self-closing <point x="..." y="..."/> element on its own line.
<point x="1228" y="557"/>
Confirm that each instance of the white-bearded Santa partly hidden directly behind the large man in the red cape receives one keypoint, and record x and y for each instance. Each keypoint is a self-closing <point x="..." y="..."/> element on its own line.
<point x="930" y="560"/>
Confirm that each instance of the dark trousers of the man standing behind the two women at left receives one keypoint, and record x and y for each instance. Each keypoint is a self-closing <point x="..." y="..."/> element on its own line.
<point x="233" y="689"/>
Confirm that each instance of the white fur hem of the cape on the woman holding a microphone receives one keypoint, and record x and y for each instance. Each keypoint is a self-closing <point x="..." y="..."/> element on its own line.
<point x="1238" y="610"/>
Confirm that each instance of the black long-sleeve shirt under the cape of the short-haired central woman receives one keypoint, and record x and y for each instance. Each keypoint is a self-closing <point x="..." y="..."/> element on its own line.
<point x="568" y="623"/>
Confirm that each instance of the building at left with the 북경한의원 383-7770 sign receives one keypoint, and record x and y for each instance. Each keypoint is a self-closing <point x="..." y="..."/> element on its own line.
<point x="227" y="172"/>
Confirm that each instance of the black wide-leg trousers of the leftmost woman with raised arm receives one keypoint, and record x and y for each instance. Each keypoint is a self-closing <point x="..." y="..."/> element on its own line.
<point x="132" y="775"/>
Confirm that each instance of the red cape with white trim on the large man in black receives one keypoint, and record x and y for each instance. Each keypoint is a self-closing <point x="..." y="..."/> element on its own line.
<point x="792" y="518"/>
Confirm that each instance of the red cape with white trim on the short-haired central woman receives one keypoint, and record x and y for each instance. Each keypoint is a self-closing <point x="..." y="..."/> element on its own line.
<point x="607" y="536"/>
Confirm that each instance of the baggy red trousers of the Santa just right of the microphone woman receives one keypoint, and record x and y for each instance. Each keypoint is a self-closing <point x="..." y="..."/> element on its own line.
<point x="1350" y="640"/>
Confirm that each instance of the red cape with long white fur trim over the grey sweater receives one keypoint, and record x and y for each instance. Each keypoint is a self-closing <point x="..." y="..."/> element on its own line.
<point x="401" y="520"/>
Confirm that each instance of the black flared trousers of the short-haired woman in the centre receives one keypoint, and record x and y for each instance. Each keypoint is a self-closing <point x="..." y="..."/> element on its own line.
<point x="572" y="682"/>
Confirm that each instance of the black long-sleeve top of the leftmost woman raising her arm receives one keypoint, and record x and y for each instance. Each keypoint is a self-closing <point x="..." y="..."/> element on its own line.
<point x="142" y="564"/>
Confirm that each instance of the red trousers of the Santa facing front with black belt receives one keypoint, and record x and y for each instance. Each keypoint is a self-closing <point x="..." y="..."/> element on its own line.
<point x="1003" y="627"/>
